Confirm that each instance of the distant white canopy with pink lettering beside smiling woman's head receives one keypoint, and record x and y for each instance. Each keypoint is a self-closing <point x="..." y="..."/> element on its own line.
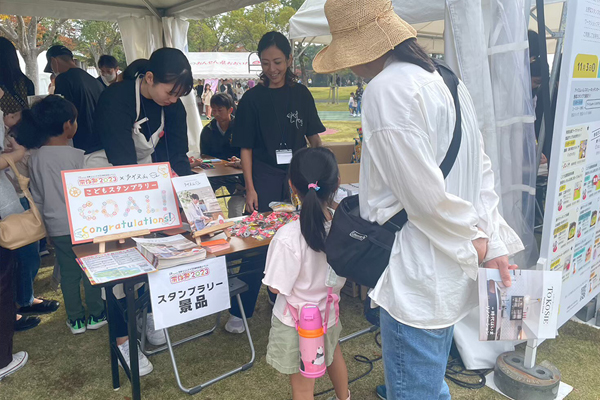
<point x="224" y="65"/>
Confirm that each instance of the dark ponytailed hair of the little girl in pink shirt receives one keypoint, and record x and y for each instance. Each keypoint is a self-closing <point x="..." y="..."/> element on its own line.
<point x="315" y="176"/>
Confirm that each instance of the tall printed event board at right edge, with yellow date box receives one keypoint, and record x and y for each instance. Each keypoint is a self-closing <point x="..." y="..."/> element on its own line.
<point x="571" y="237"/>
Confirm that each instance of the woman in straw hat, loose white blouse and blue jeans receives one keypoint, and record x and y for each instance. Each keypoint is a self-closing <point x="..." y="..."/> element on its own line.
<point x="453" y="225"/>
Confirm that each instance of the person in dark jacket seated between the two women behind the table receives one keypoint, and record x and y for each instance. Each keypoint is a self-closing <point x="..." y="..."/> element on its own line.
<point x="215" y="141"/>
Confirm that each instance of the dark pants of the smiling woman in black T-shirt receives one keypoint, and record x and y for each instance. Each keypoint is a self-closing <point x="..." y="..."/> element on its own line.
<point x="270" y="183"/>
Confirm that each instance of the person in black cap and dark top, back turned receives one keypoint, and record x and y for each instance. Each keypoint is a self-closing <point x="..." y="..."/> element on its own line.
<point x="81" y="89"/>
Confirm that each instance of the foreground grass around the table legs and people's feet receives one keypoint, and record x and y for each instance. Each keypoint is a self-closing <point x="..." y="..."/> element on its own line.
<point x="63" y="366"/>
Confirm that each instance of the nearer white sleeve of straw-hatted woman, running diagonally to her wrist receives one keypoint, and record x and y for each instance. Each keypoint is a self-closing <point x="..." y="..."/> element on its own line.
<point x="415" y="179"/>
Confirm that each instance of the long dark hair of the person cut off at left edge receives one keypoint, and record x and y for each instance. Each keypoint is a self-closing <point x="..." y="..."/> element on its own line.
<point x="13" y="82"/>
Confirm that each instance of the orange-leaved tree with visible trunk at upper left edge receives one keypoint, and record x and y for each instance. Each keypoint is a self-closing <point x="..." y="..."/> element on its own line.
<point x="31" y="36"/>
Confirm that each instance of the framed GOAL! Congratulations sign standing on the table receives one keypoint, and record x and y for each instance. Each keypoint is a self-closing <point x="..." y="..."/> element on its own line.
<point x="110" y="201"/>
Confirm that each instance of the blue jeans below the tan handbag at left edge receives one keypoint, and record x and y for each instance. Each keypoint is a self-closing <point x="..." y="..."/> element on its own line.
<point x="27" y="266"/>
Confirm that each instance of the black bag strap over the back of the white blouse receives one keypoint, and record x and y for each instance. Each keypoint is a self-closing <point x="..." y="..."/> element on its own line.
<point x="451" y="80"/>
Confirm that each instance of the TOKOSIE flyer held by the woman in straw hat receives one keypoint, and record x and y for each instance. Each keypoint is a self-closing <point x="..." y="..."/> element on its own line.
<point x="528" y="309"/>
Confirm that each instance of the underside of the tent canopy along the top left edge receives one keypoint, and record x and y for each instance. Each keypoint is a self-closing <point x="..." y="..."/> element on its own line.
<point x="110" y="10"/>
